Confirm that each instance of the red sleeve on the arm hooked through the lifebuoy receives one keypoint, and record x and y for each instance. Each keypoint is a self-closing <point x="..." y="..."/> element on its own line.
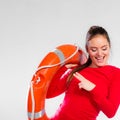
<point x="58" y="83"/>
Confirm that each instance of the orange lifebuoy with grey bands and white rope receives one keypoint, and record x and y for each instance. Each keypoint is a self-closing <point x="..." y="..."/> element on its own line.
<point x="62" y="55"/>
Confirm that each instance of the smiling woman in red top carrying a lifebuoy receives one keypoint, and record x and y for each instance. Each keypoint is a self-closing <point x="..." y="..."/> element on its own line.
<point x="92" y="87"/>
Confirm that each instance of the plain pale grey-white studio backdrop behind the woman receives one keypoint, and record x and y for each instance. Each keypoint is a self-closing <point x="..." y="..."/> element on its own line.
<point x="29" y="29"/>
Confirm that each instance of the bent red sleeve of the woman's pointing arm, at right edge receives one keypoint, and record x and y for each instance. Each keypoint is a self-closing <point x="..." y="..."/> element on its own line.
<point x="109" y="104"/>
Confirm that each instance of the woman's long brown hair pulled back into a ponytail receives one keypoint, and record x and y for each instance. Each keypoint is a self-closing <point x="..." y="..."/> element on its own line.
<point x="92" y="32"/>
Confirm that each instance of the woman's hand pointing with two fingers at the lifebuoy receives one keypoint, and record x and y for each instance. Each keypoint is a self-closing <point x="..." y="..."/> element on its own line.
<point x="84" y="83"/>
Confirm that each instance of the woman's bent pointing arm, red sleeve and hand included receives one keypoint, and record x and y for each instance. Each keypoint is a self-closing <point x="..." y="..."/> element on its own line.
<point x="107" y="104"/>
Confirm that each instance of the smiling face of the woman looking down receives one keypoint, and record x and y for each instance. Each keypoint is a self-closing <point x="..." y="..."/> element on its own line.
<point x="98" y="49"/>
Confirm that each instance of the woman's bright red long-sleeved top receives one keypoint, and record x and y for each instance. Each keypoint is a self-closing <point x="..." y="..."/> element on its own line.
<point x="79" y="104"/>
